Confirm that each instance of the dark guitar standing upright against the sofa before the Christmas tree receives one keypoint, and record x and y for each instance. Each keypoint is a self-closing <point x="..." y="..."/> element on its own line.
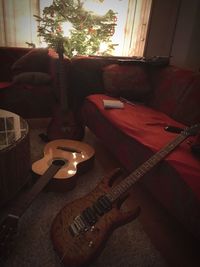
<point x="65" y="122"/>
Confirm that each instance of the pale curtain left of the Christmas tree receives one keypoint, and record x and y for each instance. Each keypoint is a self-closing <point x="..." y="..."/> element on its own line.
<point x="17" y="24"/>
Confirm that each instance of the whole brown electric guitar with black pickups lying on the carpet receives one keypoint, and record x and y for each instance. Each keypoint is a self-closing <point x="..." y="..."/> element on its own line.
<point x="80" y="230"/>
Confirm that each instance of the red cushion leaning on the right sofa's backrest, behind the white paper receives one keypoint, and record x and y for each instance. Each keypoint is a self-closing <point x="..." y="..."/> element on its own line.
<point x="128" y="81"/>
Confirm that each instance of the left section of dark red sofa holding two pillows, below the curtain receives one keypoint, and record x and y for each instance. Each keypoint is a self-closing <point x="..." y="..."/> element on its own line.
<point x="29" y="81"/>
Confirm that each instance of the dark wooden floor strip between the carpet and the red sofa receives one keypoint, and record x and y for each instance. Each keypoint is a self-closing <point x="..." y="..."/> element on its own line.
<point x="178" y="248"/>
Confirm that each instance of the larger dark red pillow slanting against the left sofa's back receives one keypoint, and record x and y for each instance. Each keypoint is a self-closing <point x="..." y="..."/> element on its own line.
<point x="37" y="60"/>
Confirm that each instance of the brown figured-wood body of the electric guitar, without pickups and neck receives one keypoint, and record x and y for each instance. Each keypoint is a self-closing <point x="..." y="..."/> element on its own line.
<point x="81" y="250"/>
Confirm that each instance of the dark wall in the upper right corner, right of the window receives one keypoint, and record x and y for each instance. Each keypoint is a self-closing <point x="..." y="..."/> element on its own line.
<point x="186" y="45"/>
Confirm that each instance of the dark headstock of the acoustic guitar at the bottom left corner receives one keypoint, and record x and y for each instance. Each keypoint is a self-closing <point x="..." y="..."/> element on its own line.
<point x="8" y="230"/>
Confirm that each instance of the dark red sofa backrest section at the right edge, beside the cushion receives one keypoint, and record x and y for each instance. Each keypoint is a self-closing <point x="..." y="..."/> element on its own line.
<point x="176" y="92"/>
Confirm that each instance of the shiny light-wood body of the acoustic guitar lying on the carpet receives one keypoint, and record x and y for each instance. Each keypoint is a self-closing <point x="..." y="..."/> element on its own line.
<point x="77" y="158"/>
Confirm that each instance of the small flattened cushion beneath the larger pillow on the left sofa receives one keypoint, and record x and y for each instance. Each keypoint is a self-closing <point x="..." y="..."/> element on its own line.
<point x="34" y="78"/>
